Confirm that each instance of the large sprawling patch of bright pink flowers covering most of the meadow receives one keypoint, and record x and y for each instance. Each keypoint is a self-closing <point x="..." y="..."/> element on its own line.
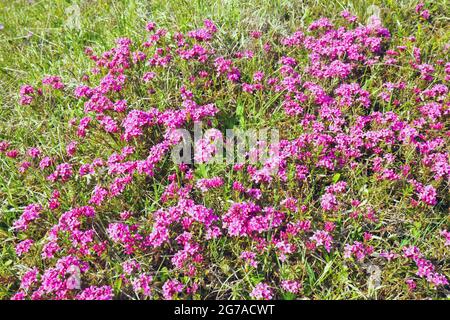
<point x="113" y="195"/>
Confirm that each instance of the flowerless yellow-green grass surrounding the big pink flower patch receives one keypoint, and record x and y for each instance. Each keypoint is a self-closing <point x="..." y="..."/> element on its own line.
<point x="40" y="38"/>
